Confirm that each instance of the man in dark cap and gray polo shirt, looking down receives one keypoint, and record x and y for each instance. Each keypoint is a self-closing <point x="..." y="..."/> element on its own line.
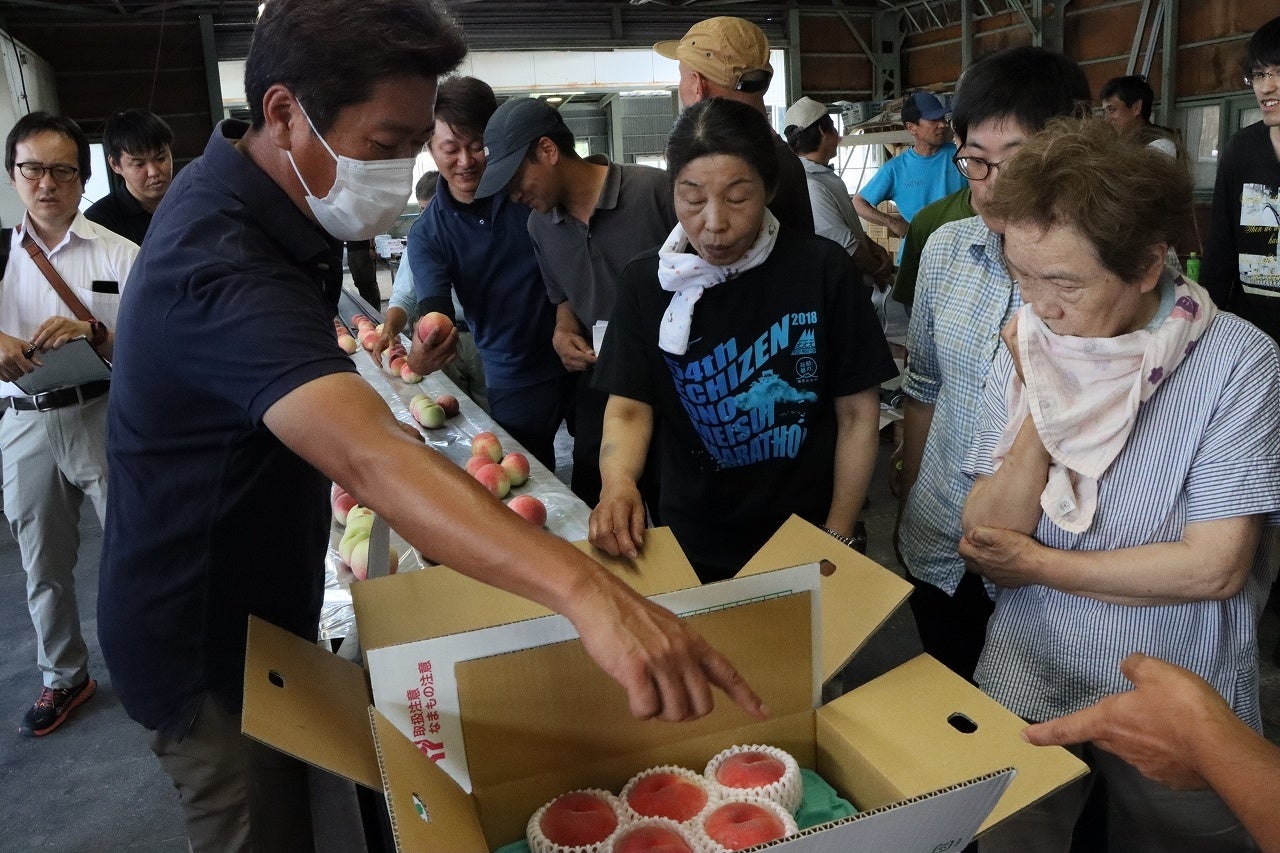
<point x="589" y="218"/>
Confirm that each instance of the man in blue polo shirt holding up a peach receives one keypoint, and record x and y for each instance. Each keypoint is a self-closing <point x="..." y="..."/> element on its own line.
<point x="481" y="248"/>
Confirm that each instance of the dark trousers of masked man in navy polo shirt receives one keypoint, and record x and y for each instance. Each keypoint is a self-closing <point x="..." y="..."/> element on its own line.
<point x="237" y="795"/>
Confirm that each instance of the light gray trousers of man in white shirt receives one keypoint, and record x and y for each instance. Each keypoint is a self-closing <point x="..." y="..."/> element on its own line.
<point x="52" y="460"/>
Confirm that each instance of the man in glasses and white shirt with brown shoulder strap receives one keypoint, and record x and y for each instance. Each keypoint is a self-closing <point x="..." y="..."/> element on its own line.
<point x="52" y="444"/>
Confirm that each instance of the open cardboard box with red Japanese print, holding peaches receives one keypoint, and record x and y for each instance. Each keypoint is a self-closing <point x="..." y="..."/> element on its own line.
<point x="922" y="754"/>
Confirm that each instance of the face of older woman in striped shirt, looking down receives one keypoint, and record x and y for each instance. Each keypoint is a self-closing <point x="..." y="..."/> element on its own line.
<point x="1062" y="279"/>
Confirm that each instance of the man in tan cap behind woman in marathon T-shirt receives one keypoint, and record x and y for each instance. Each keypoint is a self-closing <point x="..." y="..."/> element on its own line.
<point x="730" y="58"/>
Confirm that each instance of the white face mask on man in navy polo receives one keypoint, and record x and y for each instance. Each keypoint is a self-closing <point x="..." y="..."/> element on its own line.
<point x="367" y="195"/>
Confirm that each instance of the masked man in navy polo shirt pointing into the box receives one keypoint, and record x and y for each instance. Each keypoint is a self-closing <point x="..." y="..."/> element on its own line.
<point x="232" y="409"/>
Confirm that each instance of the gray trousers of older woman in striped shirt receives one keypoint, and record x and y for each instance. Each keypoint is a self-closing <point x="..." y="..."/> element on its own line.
<point x="1144" y="816"/>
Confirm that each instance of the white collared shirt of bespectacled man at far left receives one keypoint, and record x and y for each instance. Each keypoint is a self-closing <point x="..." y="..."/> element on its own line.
<point x="89" y="253"/>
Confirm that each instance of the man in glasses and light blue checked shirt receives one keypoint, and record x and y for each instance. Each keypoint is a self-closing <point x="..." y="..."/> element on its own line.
<point x="964" y="298"/>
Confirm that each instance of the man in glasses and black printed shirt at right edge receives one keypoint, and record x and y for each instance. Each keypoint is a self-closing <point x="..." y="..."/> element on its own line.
<point x="1241" y="271"/>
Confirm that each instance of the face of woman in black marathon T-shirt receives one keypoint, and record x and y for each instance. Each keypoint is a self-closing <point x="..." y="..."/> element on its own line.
<point x="720" y="202"/>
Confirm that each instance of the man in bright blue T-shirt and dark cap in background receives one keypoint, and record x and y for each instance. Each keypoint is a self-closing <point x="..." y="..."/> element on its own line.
<point x="917" y="177"/>
